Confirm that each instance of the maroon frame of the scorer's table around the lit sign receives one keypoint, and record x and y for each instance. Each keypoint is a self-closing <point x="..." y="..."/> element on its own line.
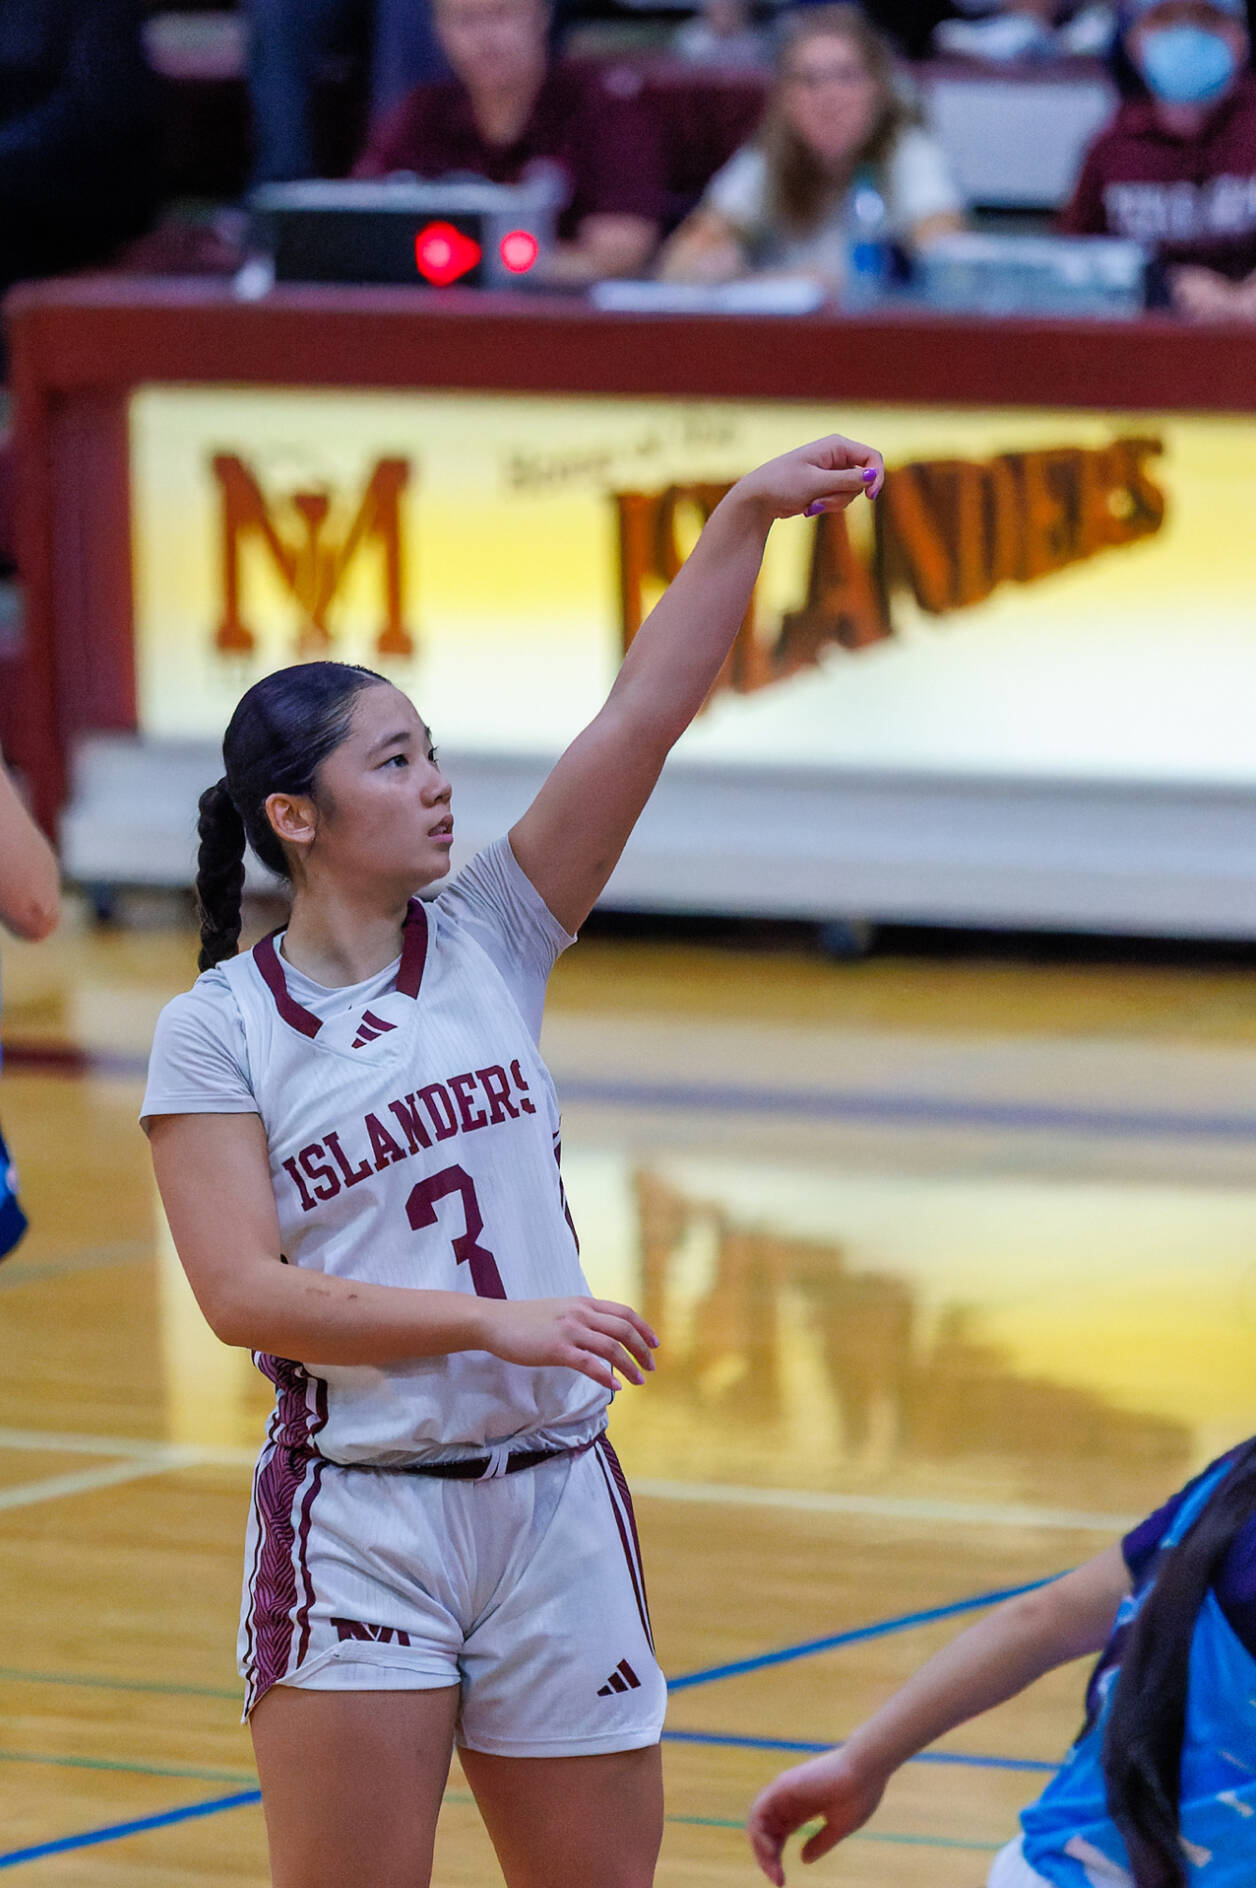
<point x="80" y="348"/>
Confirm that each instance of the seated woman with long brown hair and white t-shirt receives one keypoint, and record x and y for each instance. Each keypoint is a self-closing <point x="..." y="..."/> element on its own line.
<point x="836" y="120"/>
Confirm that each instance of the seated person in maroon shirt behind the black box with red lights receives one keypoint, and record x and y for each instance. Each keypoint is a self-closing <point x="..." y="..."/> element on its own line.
<point x="511" y="109"/>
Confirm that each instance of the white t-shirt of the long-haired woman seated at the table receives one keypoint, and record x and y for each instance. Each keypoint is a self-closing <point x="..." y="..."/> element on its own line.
<point x="915" y="188"/>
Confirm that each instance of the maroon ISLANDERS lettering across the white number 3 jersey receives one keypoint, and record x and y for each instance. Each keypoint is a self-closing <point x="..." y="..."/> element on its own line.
<point x="462" y="1105"/>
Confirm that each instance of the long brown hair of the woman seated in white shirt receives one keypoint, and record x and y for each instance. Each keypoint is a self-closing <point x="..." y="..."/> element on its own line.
<point x="800" y="188"/>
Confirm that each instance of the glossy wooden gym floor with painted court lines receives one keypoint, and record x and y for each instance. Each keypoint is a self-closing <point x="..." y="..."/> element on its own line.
<point x="955" y="1268"/>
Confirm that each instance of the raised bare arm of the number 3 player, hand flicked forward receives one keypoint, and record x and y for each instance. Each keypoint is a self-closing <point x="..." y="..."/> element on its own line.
<point x="579" y="824"/>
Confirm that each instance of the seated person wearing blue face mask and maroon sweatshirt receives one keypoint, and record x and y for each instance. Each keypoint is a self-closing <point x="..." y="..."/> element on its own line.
<point x="1178" y="169"/>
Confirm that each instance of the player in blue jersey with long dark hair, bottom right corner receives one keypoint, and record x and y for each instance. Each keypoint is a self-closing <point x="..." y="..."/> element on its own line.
<point x="1161" y="1787"/>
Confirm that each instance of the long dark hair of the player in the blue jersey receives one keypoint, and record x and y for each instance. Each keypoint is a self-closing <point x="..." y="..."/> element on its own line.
<point x="1147" y="1723"/>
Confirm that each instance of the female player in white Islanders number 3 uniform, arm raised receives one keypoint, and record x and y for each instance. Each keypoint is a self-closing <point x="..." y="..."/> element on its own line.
<point x="358" y="1147"/>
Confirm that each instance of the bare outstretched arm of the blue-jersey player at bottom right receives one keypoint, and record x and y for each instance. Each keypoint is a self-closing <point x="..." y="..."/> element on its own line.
<point x="993" y="1662"/>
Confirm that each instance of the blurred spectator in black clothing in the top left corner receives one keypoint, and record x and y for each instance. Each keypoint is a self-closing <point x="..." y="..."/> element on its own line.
<point x="76" y="133"/>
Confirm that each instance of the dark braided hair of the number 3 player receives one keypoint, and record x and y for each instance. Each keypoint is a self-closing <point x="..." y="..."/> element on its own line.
<point x="277" y="741"/>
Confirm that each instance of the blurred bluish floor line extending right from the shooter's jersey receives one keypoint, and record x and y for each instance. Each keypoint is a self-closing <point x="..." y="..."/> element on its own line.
<point x="857" y="1105"/>
